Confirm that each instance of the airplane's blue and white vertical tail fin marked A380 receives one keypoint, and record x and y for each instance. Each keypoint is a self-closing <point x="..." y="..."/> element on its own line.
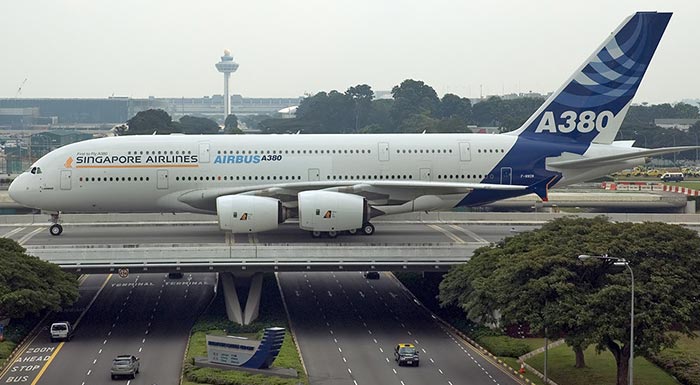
<point x="591" y="105"/>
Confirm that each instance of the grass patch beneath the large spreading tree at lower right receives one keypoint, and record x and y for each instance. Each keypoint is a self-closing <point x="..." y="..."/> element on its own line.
<point x="600" y="368"/>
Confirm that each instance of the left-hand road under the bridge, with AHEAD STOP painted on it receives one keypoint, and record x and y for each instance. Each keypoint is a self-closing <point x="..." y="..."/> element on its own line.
<point x="146" y="315"/>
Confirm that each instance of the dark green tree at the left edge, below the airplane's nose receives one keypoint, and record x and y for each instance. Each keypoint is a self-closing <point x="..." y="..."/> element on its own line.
<point x="29" y="285"/>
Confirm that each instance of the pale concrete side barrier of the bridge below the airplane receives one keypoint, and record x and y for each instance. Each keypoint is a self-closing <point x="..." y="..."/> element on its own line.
<point x="273" y="257"/>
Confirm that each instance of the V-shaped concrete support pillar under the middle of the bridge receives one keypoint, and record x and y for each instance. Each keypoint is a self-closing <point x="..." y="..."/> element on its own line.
<point x="250" y="284"/>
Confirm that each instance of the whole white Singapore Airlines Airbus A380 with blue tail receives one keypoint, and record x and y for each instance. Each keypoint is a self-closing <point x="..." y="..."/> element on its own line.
<point x="338" y="183"/>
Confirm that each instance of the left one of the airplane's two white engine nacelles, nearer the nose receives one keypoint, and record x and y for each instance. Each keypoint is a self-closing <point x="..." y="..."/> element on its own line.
<point x="248" y="214"/>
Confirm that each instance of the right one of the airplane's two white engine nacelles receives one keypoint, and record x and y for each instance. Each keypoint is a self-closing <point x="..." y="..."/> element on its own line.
<point x="331" y="211"/>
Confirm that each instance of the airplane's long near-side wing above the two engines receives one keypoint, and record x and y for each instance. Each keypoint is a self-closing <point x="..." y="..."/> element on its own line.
<point x="377" y="192"/>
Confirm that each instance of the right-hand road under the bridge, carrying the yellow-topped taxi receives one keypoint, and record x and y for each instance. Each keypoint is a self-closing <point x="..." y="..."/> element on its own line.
<point x="347" y="327"/>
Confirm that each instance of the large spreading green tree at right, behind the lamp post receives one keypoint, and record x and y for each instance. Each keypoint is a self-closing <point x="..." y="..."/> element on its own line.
<point x="535" y="277"/>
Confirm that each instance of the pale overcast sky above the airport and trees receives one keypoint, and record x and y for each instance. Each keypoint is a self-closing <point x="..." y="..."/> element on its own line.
<point x="168" y="48"/>
